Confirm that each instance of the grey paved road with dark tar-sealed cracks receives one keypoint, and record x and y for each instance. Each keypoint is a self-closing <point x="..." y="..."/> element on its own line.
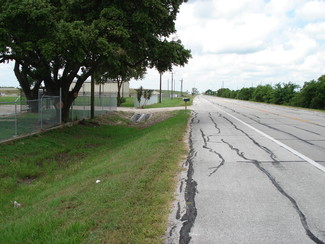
<point x="255" y="174"/>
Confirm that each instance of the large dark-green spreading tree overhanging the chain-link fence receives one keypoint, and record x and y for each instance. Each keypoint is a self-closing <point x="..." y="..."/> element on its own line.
<point x="57" y="42"/>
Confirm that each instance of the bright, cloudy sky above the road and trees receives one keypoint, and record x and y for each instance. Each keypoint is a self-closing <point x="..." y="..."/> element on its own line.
<point x="241" y="43"/>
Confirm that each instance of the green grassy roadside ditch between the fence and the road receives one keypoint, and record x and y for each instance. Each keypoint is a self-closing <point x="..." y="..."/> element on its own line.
<point x="53" y="176"/>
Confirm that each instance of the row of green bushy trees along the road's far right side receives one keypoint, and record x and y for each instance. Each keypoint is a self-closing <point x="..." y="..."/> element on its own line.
<point x="311" y="95"/>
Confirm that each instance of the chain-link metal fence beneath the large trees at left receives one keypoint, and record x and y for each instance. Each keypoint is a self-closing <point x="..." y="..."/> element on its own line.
<point x="24" y="117"/>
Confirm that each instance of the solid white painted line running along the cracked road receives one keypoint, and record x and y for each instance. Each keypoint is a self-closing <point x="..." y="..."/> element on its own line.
<point x="312" y="162"/>
